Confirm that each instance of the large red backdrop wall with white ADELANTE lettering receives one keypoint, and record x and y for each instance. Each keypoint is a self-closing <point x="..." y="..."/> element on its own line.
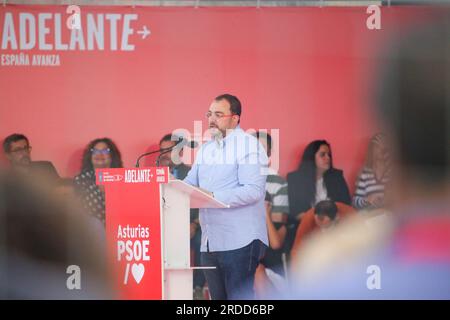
<point x="305" y="71"/>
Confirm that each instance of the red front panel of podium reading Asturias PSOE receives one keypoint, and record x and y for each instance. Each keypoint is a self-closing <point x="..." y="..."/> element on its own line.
<point x="133" y="229"/>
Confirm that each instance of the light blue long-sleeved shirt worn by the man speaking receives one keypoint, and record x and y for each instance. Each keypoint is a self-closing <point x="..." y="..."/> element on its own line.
<point x="235" y="170"/>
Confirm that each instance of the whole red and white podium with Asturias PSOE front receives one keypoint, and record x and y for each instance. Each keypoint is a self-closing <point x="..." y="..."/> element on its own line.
<point x="147" y="231"/>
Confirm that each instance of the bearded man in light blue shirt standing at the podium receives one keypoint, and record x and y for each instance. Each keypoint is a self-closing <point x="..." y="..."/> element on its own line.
<point x="231" y="168"/>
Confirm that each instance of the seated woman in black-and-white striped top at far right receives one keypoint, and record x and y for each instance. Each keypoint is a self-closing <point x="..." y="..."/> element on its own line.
<point x="371" y="182"/>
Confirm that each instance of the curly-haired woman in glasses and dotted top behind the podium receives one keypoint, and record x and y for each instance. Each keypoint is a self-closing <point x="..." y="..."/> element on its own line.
<point x="99" y="153"/>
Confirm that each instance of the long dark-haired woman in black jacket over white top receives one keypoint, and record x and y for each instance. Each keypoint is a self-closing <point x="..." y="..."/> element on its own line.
<point x="314" y="181"/>
